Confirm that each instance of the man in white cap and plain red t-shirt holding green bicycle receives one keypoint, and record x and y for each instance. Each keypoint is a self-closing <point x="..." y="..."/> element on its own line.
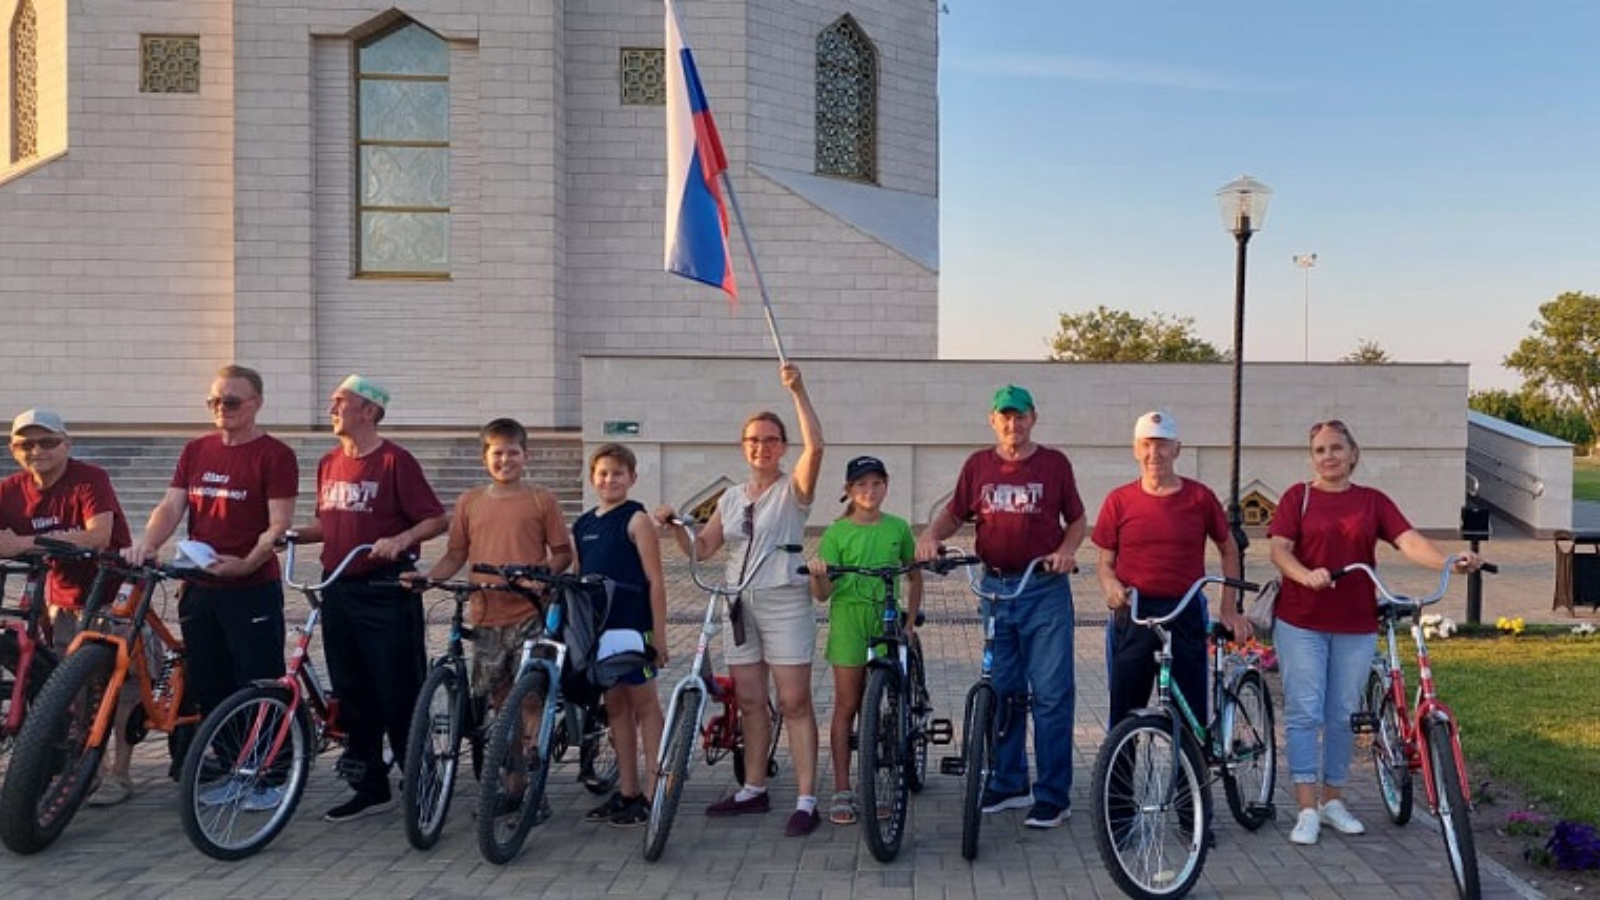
<point x="1151" y="537"/>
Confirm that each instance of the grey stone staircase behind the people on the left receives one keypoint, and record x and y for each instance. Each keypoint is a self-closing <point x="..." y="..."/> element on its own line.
<point x="142" y="467"/>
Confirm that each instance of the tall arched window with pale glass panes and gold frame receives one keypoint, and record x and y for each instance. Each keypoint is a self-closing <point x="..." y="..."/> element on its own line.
<point x="402" y="147"/>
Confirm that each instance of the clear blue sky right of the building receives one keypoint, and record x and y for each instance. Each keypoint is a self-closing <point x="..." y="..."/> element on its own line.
<point x="1442" y="161"/>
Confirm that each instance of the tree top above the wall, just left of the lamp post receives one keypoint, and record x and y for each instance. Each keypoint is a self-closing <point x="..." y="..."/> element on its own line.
<point x="1118" y="335"/>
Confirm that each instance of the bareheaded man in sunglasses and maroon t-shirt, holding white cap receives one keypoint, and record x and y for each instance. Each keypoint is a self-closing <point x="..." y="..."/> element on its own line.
<point x="236" y="488"/>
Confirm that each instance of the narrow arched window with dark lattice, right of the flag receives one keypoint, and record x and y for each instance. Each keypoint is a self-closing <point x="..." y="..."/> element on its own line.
<point x="847" y="103"/>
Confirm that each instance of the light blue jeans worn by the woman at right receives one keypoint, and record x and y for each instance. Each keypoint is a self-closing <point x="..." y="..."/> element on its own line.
<point x="1324" y="677"/>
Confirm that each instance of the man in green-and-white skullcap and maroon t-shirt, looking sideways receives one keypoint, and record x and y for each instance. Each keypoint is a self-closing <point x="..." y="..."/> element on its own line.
<point x="370" y="491"/>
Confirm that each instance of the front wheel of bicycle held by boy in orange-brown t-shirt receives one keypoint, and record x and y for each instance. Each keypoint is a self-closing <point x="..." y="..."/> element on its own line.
<point x="433" y="755"/>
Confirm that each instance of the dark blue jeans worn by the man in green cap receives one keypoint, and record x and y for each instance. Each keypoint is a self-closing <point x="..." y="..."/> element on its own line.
<point x="1034" y="651"/>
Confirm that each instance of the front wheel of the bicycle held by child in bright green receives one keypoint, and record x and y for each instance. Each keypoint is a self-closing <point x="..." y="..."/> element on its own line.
<point x="884" y="765"/>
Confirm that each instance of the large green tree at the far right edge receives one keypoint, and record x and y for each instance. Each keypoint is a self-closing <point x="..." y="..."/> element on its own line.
<point x="1562" y="356"/>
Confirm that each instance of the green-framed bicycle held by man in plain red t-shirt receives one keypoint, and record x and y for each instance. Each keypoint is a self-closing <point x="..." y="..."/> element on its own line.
<point x="1153" y="777"/>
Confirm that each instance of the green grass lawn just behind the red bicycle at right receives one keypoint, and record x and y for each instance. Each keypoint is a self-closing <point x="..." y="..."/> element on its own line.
<point x="1530" y="715"/>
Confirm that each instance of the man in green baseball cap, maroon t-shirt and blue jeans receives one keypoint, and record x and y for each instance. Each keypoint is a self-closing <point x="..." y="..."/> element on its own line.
<point x="1025" y="505"/>
